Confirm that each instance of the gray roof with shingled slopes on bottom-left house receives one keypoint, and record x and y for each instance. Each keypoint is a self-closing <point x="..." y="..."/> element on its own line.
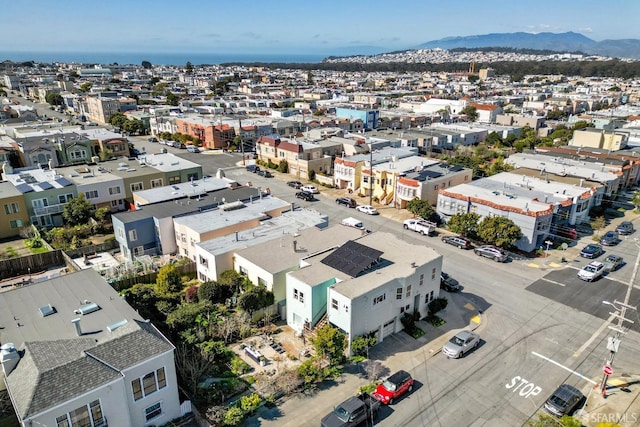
<point x="56" y="365"/>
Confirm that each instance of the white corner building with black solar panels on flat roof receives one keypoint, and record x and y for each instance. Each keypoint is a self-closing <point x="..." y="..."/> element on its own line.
<point x="363" y="286"/>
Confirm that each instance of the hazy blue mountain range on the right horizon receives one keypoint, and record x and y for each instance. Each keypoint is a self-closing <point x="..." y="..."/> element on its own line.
<point x="557" y="42"/>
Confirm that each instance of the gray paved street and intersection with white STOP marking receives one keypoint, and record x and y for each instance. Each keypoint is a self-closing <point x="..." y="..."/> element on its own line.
<point x="541" y="327"/>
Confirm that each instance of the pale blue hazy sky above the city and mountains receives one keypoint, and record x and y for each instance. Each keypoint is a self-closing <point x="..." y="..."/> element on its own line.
<point x="288" y="26"/>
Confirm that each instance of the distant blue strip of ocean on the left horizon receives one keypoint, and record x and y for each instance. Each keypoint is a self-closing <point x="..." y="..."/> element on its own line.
<point x="158" y="58"/>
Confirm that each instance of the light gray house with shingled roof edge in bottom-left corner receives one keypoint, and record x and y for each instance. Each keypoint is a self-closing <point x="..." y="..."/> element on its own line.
<point x="80" y="355"/>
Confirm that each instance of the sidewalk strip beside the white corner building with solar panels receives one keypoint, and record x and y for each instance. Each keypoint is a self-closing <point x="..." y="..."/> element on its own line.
<point x="397" y="351"/>
